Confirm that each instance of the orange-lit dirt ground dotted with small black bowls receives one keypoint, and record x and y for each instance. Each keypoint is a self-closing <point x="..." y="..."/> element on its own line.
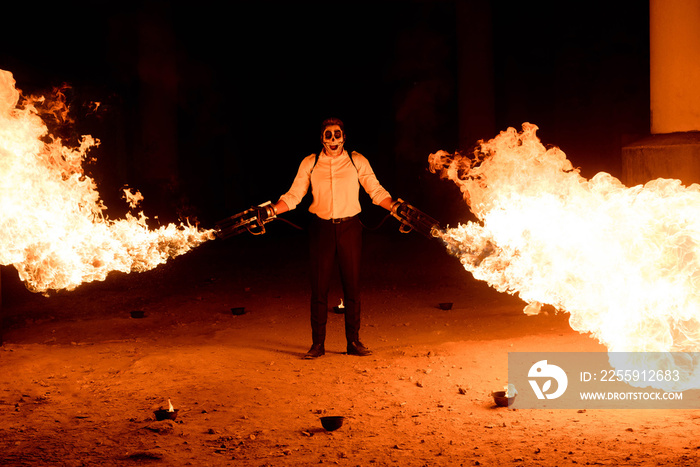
<point x="80" y="378"/>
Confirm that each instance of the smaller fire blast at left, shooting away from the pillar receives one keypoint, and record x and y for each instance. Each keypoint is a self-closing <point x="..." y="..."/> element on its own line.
<point x="53" y="229"/>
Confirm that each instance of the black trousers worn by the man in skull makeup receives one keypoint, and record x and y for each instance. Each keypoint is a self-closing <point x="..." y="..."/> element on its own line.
<point x="334" y="244"/>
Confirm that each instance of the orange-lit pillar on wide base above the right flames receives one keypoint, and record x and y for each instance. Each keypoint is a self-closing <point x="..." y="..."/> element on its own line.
<point x="673" y="148"/>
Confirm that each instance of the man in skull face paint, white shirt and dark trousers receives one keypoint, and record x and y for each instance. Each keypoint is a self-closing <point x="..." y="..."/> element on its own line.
<point x="335" y="177"/>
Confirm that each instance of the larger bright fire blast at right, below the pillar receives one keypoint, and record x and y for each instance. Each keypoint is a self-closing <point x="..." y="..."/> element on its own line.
<point x="624" y="262"/>
